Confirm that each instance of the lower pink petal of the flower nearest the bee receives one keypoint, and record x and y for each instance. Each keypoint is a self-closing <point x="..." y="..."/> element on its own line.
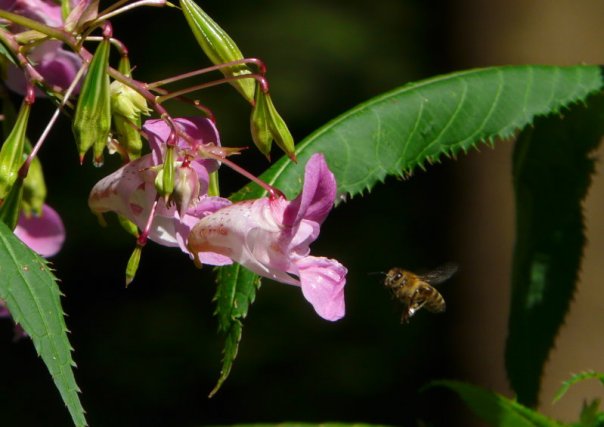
<point x="322" y="282"/>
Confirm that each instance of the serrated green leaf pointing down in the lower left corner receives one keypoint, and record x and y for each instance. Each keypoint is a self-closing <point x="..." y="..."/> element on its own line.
<point x="32" y="296"/>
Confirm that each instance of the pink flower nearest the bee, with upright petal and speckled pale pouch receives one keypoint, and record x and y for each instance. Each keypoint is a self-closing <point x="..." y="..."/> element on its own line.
<point x="271" y="237"/>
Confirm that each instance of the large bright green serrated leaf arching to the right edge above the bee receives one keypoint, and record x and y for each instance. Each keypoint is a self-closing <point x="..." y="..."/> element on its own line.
<point x="395" y="133"/>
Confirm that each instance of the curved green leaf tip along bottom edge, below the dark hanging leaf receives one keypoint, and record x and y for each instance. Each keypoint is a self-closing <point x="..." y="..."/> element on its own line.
<point x="495" y="409"/>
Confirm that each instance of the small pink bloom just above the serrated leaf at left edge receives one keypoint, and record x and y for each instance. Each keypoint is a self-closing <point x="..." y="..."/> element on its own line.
<point x="43" y="233"/>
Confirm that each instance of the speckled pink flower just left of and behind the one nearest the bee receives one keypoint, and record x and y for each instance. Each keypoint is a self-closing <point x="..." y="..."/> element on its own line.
<point x="130" y="191"/>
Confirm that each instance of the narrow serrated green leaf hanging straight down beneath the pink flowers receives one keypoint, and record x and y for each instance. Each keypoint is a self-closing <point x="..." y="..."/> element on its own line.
<point x="235" y="293"/>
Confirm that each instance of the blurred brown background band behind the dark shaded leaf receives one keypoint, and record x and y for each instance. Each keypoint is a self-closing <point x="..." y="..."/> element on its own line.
<point x="516" y="32"/>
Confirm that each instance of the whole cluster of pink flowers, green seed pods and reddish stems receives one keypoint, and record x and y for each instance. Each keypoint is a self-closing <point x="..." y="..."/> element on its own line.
<point x="166" y="191"/>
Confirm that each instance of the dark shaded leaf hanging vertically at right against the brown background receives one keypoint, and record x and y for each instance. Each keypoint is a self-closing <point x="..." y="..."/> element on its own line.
<point x="552" y="172"/>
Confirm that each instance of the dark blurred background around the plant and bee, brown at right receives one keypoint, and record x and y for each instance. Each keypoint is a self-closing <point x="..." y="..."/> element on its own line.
<point x="149" y="355"/>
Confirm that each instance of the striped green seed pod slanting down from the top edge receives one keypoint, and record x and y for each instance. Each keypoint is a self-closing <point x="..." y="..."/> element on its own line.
<point x="218" y="46"/>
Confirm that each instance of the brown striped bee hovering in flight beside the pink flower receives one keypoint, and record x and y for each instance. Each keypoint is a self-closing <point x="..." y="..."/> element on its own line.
<point x="416" y="290"/>
